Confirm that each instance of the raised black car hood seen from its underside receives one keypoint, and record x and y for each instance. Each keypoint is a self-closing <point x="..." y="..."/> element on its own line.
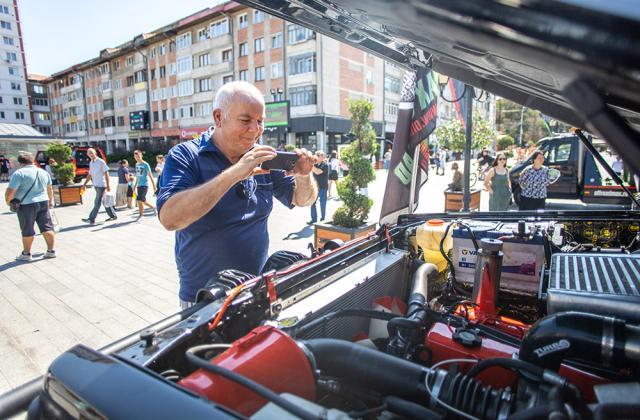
<point x="577" y="61"/>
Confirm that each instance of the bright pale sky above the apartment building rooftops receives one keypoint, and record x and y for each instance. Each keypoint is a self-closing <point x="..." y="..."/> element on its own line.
<point x="58" y="34"/>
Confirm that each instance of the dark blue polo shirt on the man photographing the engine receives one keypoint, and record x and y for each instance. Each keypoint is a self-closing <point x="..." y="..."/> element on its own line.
<point x="234" y="233"/>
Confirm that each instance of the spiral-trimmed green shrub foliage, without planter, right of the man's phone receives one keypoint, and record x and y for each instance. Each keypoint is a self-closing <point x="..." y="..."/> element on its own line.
<point x="356" y="206"/>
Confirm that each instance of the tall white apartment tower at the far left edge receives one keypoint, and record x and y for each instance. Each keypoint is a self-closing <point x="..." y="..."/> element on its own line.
<point x="14" y="102"/>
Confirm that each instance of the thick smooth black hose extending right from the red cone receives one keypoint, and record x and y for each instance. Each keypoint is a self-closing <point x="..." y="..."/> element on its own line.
<point x="362" y="366"/>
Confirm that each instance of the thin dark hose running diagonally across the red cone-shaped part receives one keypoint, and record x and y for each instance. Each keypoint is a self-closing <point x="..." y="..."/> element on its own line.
<point x="250" y="384"/>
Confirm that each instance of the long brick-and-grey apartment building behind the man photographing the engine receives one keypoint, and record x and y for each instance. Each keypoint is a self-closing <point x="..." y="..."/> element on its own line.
<point x="158" y="88"/>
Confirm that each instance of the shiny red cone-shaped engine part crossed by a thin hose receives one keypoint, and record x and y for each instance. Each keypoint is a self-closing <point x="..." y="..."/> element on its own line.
<point x="266" y="355"/>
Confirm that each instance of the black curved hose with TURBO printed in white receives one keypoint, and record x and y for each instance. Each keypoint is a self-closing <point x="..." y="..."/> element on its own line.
<point x="580" y="335"/>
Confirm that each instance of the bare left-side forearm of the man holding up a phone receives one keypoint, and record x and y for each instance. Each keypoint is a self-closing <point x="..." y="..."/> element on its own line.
<point x="186" y="207"/>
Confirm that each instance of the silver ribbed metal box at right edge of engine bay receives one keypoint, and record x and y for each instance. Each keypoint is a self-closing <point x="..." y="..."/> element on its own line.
<point x="605" y="284"/>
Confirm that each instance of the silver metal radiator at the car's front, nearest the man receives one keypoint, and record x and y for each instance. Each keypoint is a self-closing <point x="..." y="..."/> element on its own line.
<point x="377" y="275"/>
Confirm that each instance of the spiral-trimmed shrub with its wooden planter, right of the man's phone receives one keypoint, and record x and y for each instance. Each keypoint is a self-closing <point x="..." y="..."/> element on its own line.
<point x="350" y="219"/>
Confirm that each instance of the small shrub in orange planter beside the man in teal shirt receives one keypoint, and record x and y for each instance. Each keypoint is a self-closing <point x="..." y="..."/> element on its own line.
<point x="64" y="193"/>
